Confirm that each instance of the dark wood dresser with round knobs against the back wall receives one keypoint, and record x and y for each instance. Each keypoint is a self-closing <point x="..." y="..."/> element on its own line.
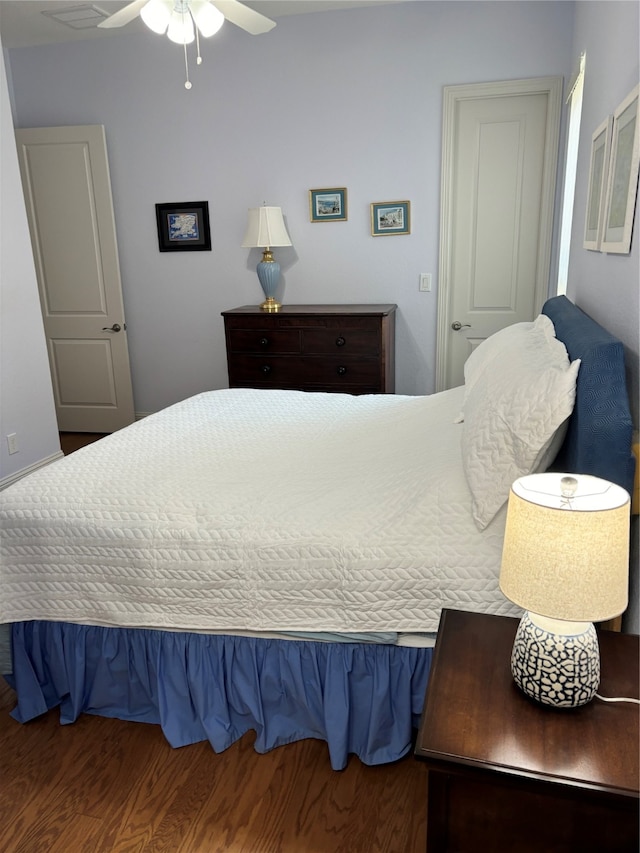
<point x="346" y="348"/>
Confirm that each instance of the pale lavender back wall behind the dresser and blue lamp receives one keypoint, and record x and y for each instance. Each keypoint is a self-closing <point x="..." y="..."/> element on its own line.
<point x="347" y="98"/>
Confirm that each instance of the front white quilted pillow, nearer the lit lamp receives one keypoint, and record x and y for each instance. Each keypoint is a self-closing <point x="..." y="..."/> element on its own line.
<point x="520" y="395"/>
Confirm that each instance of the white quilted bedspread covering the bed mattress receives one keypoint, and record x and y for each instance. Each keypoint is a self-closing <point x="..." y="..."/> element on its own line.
<point x="256" y="510"/>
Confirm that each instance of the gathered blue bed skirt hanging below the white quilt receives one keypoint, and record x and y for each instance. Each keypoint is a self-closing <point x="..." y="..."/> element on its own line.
<point x="359" y="698"/>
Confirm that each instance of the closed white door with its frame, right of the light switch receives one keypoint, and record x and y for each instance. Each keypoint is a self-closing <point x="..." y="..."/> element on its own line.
<point x="500" y="147"/>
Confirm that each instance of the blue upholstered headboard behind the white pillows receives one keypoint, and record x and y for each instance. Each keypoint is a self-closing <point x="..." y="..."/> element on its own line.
<point x="599" y="434"/>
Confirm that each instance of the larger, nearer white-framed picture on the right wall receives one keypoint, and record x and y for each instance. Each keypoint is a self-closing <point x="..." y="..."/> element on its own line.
<point x="622" y="183"/>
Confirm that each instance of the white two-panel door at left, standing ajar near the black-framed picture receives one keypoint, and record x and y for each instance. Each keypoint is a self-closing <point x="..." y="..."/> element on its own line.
<point x="65" y="177"/>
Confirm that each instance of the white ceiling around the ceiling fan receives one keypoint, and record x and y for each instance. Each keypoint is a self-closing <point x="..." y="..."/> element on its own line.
<point x="22" y="23"/>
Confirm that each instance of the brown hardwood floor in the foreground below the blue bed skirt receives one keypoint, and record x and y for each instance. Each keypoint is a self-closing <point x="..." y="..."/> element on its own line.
<point x="103" y="785"/>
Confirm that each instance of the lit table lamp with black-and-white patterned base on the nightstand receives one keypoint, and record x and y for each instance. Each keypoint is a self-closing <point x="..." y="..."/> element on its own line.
<point x="565" y="560"/>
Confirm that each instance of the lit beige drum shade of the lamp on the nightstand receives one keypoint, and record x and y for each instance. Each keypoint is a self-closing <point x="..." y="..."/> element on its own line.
<point x="566" y="547"/>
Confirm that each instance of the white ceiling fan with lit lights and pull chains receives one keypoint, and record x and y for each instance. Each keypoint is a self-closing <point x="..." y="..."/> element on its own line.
<point x="185" y="20"/>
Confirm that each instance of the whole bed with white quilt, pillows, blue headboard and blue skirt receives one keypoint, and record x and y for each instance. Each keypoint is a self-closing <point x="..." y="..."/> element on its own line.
<point x="277" y="561"/>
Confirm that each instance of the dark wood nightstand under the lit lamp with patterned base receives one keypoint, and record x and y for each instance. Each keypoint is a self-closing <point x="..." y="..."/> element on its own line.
<point x="508" y="774"/>
